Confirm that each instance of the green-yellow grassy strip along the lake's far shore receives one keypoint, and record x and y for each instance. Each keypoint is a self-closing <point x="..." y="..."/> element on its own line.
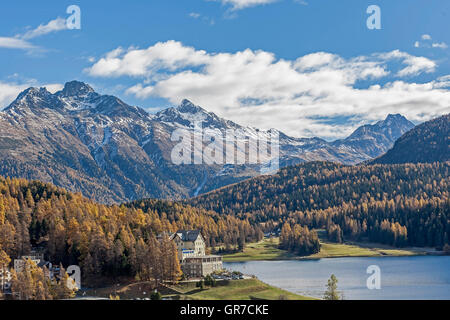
<point x="267" y="249"/>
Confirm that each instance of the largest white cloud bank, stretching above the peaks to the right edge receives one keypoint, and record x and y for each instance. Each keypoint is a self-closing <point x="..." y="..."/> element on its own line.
<point x="296" y="96"/>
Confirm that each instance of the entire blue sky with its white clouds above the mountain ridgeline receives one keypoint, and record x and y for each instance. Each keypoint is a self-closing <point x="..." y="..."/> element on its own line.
<point x="307" y="67"/>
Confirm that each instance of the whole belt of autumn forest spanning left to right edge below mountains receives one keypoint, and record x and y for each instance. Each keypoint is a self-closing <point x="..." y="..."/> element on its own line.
<point x="396" y="204"/>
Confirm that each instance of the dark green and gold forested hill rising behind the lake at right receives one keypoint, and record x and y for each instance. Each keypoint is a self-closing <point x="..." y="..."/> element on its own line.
<point x="404" y="204"/>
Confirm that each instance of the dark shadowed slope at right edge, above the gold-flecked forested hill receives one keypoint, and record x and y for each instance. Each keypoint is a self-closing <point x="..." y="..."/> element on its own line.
<point x="426" y="143"/>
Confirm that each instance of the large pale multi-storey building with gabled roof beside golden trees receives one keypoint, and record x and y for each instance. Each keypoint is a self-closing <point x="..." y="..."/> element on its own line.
<point x="191" y="248"/>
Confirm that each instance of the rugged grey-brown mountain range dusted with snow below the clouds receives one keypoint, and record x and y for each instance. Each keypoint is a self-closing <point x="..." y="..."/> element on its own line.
<point x="113" y="152"/>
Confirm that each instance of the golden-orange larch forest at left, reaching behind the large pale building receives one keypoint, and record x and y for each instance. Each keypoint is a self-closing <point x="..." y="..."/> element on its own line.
<point x="105" y="240"/>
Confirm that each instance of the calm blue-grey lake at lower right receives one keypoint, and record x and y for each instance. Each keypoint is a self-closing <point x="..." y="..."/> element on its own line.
<point x="420" y="277"/>
